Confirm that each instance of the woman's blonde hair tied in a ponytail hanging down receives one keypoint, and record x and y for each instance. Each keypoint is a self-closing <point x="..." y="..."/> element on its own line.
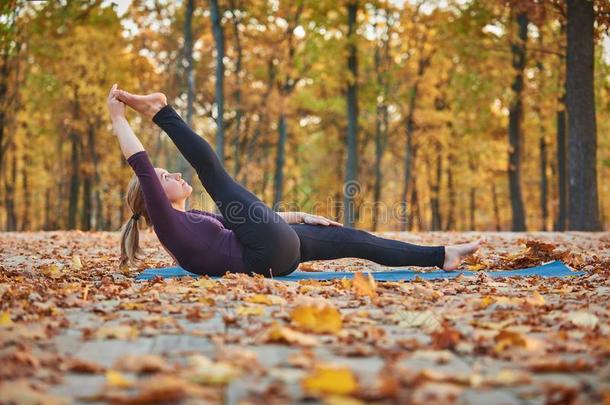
<point x="130" y="233"/>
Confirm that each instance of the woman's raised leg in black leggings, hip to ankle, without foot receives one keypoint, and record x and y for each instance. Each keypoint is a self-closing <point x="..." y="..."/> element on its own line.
<point x="268" y="240"/>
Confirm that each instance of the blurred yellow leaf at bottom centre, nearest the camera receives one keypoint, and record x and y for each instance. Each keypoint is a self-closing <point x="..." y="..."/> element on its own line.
<point x="329" y="379"/>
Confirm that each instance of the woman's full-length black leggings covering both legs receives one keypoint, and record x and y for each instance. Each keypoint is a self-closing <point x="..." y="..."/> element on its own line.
<point x="272" y="247"/>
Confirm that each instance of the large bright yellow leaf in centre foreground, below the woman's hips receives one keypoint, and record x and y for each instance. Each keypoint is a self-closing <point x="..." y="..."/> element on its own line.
<point x="317" y="319"/>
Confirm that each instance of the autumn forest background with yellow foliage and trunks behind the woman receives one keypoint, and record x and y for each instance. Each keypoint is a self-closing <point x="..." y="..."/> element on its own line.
<point x="387" y="115"/>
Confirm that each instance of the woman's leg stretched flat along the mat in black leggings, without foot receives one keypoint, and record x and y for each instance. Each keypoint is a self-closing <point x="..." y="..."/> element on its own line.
<point x="332" y="242"/>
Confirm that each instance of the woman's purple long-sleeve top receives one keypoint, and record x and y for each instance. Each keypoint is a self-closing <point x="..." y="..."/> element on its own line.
<point x="198" y="240"/>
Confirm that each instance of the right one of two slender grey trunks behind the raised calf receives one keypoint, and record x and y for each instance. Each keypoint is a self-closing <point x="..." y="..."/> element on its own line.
<point x="219" y="40"/>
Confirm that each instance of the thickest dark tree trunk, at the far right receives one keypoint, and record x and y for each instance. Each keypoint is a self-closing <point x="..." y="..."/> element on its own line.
<point x="583" y="207"/>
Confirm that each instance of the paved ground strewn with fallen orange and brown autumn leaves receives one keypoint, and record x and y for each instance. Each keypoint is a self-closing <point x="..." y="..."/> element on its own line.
<point x="75" y="328"/>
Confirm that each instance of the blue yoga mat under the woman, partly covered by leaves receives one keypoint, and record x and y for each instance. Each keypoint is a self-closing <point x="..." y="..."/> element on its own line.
<point x="552" y="269"/>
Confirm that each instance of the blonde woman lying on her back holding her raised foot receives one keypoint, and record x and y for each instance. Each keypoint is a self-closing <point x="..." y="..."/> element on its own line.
<point x="248" y="237"/>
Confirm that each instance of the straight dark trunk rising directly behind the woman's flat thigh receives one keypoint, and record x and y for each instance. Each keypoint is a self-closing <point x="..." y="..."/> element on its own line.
<point x="351" y="187"/>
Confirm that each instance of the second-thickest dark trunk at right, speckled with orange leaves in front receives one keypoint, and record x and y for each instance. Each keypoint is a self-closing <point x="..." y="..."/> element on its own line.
<point x="514" y="127"/>
